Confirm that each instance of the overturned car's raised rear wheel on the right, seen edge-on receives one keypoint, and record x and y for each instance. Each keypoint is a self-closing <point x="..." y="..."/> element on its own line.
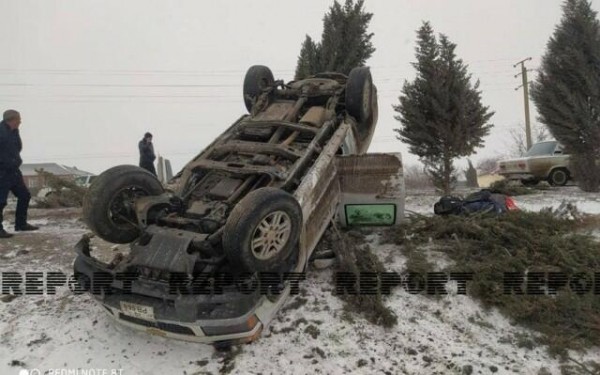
<point x="359" y="93"/>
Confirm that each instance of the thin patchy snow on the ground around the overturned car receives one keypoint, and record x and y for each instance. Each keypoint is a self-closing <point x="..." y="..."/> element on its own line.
<point x="451" y="334"/>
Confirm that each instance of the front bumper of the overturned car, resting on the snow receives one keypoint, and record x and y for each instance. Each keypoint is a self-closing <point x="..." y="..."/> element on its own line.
<point x="228" y="318"/>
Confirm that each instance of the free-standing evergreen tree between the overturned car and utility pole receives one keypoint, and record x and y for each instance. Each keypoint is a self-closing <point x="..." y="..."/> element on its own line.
<point x="440" y="112"/>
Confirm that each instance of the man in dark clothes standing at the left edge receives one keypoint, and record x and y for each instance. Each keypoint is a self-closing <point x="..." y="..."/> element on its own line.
<point x="11" y="179"/>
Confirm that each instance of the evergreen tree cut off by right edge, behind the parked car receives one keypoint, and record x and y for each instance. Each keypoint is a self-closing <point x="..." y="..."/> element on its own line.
<point x="567" y="89"/>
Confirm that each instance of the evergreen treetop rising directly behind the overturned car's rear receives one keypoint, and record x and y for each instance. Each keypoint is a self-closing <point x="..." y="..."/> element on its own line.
<point x="345" y="42"/>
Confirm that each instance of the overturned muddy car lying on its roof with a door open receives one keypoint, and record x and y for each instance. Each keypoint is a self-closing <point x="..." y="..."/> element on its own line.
<point x="256" y="201"/>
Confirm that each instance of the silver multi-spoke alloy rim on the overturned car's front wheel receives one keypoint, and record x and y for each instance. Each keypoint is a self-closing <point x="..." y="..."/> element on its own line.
<point x="271" y="235"/>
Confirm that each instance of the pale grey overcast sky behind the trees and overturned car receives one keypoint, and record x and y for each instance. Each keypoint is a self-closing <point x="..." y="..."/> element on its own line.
<point x="90" y="76"/>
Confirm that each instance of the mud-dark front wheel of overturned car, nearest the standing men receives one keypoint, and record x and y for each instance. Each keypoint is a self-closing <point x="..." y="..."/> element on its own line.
<point x="108" y="206"/>
